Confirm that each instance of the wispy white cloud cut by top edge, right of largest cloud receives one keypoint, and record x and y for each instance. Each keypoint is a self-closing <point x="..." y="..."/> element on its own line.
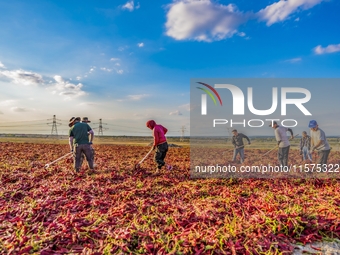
<point x="281" y="10"/>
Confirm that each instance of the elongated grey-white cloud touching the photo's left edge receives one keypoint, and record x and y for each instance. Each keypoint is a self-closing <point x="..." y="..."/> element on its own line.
<point x="22" y="77"/>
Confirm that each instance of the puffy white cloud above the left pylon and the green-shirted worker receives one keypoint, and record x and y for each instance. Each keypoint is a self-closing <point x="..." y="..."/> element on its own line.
<point x="67" y="89"/>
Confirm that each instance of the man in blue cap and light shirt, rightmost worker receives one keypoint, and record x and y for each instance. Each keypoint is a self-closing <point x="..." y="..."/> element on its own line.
<point x="319" y="142"/>
